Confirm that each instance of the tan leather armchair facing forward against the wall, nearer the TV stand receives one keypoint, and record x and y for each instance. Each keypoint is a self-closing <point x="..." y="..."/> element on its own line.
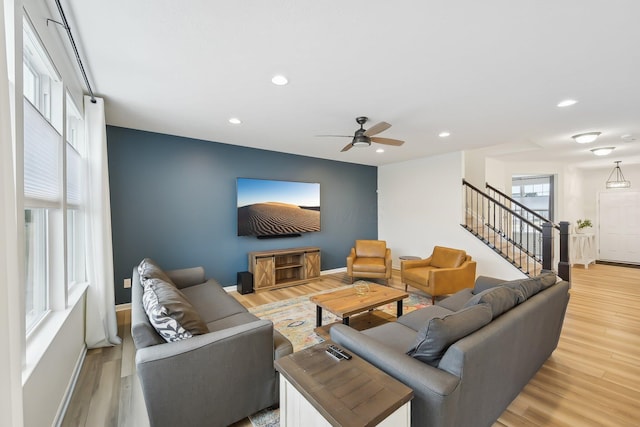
<point x="370" y="259"/>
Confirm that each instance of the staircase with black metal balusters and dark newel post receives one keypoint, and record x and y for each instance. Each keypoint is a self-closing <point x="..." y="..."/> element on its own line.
<point x="520" y="235"/>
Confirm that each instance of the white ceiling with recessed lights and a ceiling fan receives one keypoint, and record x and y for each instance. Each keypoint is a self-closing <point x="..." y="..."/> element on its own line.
<point x="491" y="73"/>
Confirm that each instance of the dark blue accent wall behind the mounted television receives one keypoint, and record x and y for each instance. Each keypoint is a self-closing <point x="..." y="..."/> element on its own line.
<point x="173" y="199"/>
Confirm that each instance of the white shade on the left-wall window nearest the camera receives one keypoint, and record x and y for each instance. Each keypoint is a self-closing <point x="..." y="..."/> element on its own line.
<point x="41" y="157"/>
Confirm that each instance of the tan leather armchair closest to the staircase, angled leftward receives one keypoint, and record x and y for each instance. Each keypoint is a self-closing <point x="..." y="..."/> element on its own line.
<point x="445" y="272"/>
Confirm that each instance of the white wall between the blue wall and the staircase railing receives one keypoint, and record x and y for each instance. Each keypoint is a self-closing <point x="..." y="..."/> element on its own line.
<point x="420" y="205"/>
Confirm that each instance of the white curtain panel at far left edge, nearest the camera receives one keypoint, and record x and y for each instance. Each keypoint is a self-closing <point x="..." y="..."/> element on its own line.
<point x="11" y="351"/>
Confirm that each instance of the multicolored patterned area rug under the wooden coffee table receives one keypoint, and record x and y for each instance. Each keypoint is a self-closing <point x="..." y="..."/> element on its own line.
<point x="295" y="318"/>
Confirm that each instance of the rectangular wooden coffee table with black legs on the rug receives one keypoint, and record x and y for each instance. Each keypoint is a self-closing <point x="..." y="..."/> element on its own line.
<point x="345" y="303"/>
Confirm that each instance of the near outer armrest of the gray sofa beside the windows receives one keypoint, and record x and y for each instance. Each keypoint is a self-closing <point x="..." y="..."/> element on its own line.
<point x="203" y="376"/>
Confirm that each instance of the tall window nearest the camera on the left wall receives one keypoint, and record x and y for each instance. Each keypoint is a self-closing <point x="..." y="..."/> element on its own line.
<point x="42" y="177"/>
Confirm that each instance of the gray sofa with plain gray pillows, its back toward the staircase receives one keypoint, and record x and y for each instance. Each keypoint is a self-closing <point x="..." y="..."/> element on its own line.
<point x="469" y="356"/>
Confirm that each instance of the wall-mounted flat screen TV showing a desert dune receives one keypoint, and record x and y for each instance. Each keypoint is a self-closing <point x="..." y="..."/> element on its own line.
<point x="268" y="208"/>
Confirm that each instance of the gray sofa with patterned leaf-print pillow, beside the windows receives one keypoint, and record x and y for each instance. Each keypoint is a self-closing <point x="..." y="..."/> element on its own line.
<point x="216" y="377"/>
